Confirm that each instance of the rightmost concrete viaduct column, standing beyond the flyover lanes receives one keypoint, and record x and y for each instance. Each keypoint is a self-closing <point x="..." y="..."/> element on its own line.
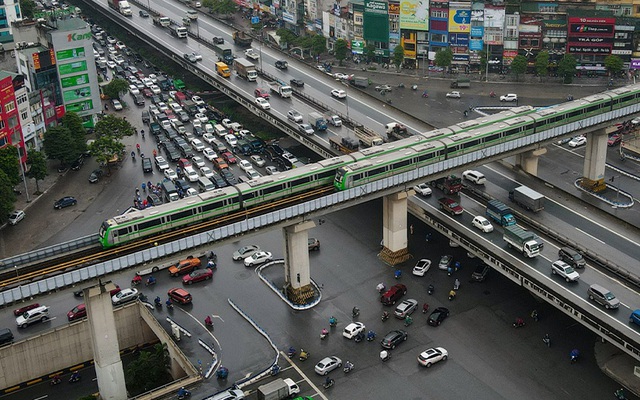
<point x="595" y="159"/>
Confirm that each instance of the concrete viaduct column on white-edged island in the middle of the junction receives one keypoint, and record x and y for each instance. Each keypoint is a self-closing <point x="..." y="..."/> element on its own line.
<point x="296" y="262"/>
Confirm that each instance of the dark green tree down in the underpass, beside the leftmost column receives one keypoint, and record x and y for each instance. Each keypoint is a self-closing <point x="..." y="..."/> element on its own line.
<point x="149" y="370"/>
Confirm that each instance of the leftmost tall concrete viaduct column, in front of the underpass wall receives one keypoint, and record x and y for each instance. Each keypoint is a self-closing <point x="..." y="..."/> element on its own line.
<point x="106" y="351"/>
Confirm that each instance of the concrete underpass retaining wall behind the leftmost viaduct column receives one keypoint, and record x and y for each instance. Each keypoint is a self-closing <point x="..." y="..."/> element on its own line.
<point x="66" y="346"/>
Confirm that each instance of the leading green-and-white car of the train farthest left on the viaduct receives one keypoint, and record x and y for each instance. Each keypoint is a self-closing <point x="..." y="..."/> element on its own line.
<point x="137" y="224"/>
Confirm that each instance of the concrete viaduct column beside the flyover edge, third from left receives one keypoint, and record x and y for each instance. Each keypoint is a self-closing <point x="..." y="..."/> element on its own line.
<point x="394" y="228"/>
